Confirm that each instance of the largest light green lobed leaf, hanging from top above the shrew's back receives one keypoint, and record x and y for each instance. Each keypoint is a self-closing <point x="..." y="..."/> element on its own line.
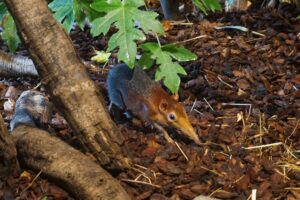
<point x="123" y="15"/>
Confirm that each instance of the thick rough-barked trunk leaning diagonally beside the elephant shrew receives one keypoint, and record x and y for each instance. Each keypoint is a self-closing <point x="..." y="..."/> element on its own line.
<point x="71" y="89"/>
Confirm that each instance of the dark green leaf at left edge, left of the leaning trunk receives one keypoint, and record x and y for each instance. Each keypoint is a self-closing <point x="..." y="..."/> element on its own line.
<point x="10" y="35"/>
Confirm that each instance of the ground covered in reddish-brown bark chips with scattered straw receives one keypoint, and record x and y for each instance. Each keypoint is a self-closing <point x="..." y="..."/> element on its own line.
<point x="242" y="95"/>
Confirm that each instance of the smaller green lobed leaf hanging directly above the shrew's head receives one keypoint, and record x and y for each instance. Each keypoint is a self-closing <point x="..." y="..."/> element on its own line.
<point x="168" y="70"/>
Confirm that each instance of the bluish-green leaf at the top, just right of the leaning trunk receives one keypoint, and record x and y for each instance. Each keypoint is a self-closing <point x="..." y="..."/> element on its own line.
<point x="63" y="12"/>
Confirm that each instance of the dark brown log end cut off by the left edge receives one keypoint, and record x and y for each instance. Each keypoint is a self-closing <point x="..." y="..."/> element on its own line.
<point x="8" y="153"/>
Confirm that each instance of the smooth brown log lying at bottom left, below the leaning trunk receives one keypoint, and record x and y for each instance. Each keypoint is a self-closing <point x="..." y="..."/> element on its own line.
<point x="65" y="165"/>
